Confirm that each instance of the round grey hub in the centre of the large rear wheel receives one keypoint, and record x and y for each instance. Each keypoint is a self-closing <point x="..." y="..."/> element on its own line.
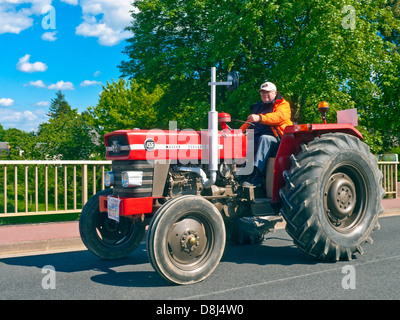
<point x="340" y="198"/>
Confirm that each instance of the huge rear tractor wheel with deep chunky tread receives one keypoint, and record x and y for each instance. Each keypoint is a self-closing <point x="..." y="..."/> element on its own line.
<point x="332" y="198"/>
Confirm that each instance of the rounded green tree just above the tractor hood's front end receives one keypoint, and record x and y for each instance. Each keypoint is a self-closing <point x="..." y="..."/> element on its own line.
<point x="125" y="105"/>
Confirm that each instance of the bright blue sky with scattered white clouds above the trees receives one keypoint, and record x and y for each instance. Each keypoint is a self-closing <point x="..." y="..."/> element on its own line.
<point x="47" y="45"/>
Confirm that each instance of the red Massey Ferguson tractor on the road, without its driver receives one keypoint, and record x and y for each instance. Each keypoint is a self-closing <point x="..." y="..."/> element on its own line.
<point x="185" y="188"/>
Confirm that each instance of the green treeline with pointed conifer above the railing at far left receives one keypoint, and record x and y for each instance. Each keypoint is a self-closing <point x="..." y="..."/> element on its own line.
<point x="67" y="135"/>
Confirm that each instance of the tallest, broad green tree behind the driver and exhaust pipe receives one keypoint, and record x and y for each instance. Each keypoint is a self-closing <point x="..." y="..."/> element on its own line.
<point x="313" y="50"/>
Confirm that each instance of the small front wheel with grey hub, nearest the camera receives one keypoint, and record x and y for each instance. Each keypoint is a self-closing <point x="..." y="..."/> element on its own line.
<point x="186" y="239"/>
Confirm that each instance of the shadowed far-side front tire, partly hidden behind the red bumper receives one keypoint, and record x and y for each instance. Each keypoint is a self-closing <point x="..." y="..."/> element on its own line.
<point x="105" y="237"/>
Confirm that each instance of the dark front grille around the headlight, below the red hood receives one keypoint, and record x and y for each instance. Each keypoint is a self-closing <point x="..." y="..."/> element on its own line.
<point x="145" y="190"/>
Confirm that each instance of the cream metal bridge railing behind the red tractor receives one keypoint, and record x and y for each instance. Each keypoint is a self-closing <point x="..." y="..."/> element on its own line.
<point x="48" y="187"/>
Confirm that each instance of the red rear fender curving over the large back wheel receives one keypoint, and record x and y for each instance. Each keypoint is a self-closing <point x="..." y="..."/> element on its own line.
<point x="291" y="141"/>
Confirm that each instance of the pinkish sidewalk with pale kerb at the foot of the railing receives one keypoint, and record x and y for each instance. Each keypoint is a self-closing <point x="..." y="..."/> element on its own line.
<point x="31" y="238"/>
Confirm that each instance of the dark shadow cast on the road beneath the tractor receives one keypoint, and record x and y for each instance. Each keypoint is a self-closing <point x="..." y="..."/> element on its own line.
<point x="275" y="250"/>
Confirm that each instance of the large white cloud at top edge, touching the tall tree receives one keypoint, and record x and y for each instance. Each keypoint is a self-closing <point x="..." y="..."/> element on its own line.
<point x="105" y="20"/>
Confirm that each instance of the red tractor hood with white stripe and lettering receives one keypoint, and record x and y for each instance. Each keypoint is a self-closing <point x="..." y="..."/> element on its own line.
<point x="183" y="145"/>
